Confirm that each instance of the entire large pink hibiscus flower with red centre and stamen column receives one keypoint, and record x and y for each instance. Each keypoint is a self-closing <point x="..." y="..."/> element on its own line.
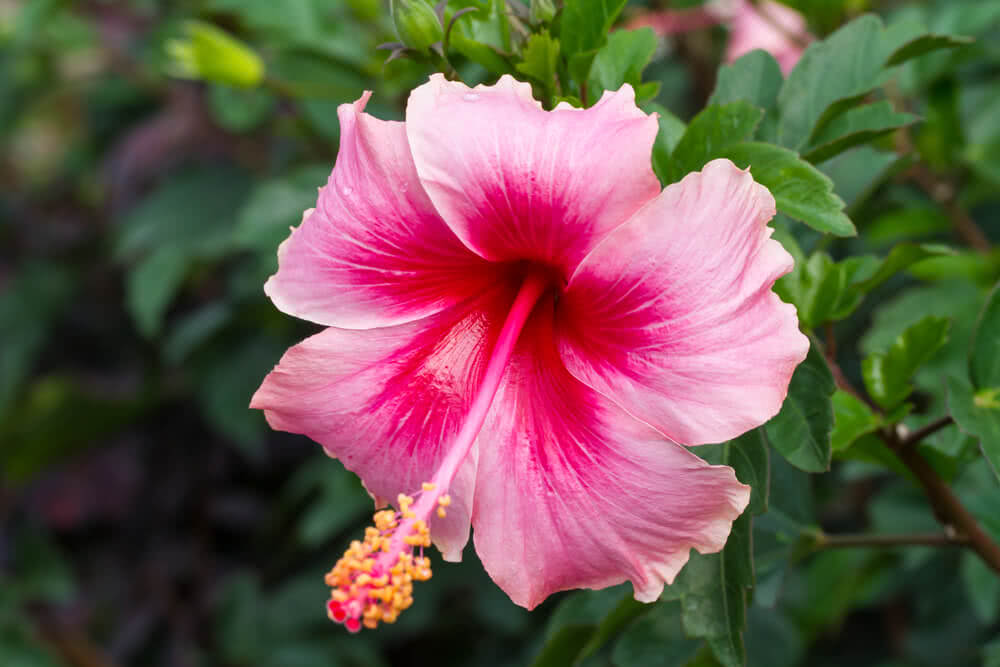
<point x="524" y="330"/>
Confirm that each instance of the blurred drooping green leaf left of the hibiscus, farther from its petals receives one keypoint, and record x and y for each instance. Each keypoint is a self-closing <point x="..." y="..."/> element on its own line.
<point x="151" y="286"/>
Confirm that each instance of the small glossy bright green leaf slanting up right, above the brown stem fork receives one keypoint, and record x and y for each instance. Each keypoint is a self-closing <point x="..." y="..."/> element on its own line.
<point x="887" y="374"/>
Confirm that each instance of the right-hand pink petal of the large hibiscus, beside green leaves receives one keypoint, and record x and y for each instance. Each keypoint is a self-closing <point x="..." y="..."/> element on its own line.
<point x="673" y="315"/>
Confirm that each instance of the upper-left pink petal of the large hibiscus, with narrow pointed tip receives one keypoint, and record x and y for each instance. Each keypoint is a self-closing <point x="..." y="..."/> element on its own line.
<point x="374" y="252"/>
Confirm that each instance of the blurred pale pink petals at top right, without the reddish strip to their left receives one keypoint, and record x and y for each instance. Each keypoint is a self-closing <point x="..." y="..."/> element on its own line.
<point x="780" y="30"/>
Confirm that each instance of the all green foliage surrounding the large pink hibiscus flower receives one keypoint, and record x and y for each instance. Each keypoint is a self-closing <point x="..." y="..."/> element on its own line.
<point x="153" y="155"/>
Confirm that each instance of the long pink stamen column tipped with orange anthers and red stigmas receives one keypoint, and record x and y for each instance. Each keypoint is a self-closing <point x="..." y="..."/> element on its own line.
<point x="373" y="582"/>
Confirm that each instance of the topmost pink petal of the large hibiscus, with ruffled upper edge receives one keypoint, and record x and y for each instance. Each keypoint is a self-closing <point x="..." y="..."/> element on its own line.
<point x="518" y="183"/>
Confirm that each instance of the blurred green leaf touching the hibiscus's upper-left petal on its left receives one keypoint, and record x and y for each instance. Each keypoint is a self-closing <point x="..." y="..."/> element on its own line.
<point x="276" y="205"/>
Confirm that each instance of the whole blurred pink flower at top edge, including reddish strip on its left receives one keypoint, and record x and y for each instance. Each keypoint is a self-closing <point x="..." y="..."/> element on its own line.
<point x="771" y="26"/>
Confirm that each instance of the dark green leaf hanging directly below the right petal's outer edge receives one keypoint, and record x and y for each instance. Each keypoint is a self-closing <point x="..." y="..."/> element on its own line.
<point x="802" y="430"/>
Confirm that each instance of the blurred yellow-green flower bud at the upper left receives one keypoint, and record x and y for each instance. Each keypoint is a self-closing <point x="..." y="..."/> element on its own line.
<point x="209" y="54"/>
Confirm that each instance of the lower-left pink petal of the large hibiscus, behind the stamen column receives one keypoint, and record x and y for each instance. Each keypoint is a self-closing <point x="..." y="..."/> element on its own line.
<point x="388" y="401"/>
